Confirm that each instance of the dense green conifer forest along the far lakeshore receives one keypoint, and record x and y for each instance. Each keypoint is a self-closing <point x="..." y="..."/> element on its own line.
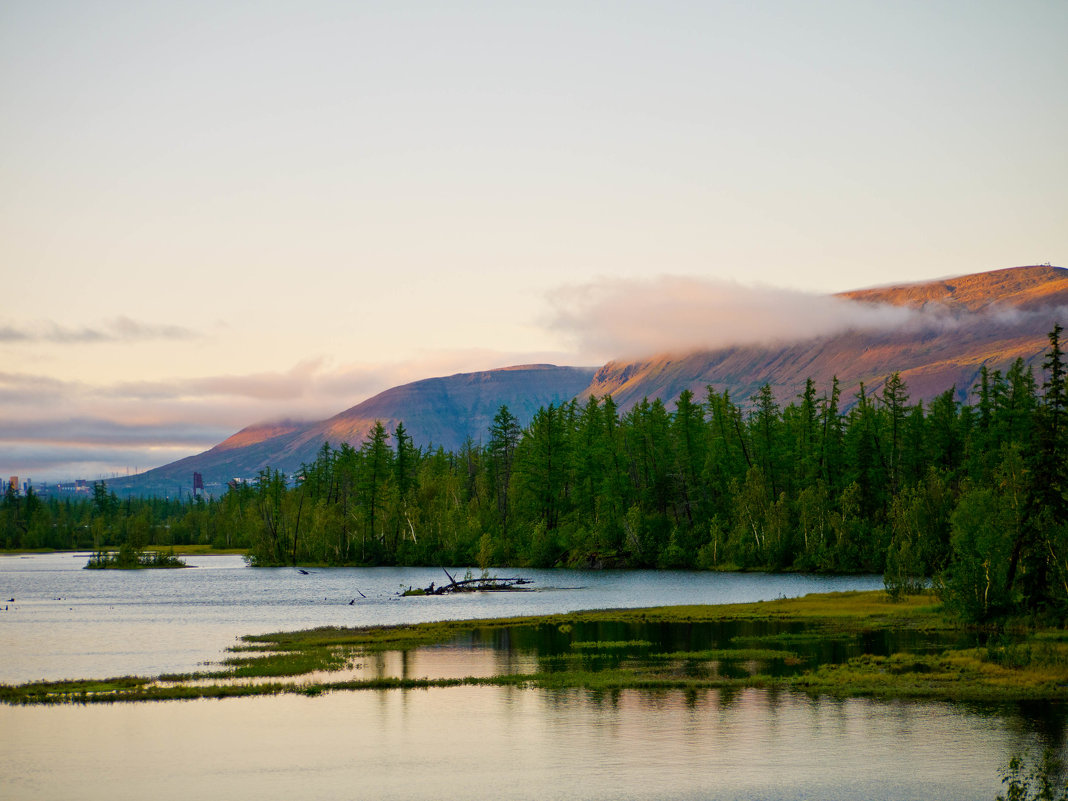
<point x="972" y="496"/>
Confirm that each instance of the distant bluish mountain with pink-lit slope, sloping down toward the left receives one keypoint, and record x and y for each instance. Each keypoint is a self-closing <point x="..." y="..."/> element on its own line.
<point x="435" y="412"/>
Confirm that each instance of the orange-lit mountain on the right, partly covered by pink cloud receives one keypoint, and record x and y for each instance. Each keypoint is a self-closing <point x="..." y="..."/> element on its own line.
<point x="988" y="319"/>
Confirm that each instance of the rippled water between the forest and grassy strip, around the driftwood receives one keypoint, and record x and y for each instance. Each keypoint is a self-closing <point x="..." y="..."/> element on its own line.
<point x="70" y="623"/>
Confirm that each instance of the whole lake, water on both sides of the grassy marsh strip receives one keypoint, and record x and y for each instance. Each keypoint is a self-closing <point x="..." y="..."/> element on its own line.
<point x="475" y="742"/>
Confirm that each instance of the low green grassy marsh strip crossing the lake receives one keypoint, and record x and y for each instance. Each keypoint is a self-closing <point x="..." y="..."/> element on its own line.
<point x="774" y="645"/>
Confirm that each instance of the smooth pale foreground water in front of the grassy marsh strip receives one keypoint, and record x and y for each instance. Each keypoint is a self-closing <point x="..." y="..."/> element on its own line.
<point x="504" y="743"/>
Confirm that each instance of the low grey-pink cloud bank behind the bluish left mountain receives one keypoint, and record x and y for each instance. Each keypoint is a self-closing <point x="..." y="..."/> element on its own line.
<point x="54" y="430"/>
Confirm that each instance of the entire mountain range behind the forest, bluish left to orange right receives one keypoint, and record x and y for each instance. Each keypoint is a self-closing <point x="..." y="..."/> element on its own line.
<point x="961" y="324"/>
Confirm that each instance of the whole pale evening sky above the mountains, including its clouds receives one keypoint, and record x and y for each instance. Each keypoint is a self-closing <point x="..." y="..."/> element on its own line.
<point x="216" y="214"/>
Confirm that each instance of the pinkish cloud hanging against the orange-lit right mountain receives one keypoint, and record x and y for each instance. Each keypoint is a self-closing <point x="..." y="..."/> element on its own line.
<point x="617" y="319"/>
